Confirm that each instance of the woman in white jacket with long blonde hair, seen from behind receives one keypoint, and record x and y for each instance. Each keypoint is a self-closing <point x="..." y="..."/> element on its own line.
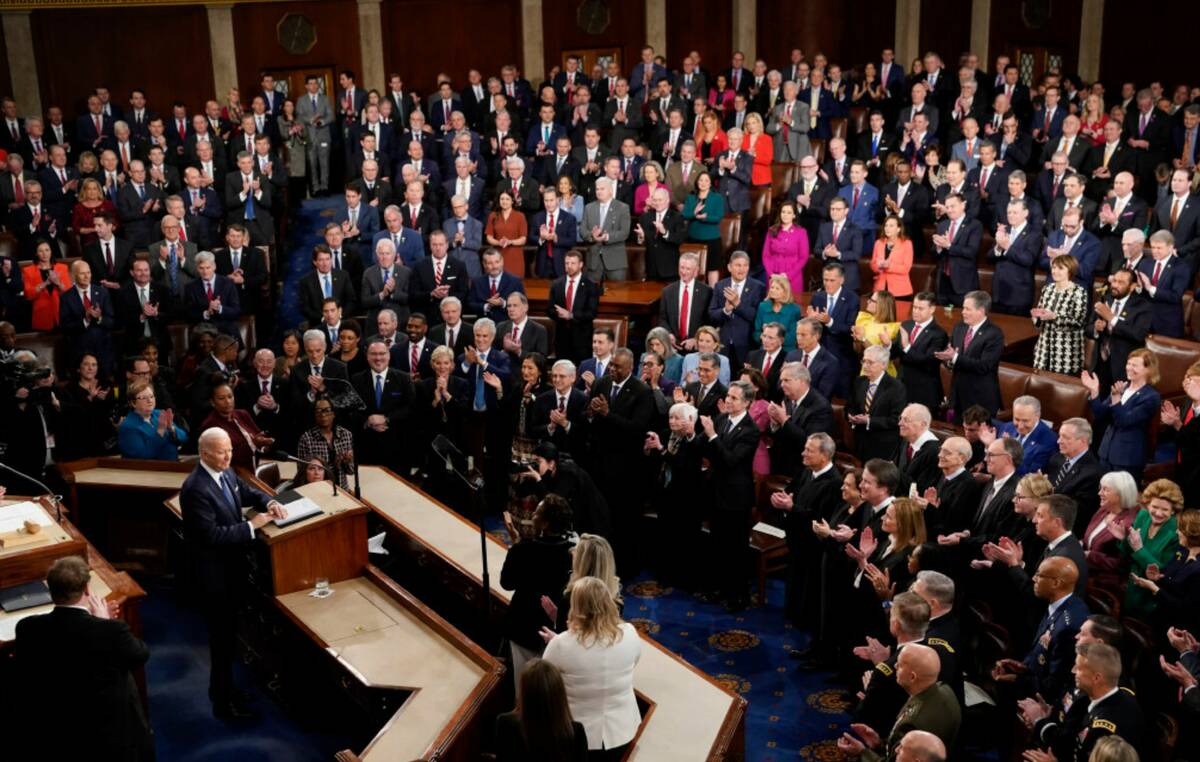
<point x="597" y="656"/>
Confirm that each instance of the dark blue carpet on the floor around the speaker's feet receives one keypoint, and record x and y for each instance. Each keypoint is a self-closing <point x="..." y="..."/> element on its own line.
<point x="181" y="713"/>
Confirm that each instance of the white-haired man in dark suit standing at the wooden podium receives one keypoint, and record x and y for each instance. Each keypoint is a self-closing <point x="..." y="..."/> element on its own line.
<point x="218" y="539"/>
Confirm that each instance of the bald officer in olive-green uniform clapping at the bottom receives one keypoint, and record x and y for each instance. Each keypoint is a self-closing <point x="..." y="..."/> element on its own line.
<point x="932" y="707"/>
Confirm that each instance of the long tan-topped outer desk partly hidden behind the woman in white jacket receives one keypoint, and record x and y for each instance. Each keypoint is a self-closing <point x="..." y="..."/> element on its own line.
<point x="693" y="719"/>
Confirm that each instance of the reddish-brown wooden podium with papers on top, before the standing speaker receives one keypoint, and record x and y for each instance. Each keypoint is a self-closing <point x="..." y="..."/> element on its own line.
<point x="333" y="547"/>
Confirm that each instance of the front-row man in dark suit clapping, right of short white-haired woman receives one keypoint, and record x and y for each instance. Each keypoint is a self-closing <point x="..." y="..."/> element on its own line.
<point x="733" y="439"/>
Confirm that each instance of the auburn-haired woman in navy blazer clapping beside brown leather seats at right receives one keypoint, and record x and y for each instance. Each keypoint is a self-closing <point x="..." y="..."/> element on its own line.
<point x="1129" y="411"/>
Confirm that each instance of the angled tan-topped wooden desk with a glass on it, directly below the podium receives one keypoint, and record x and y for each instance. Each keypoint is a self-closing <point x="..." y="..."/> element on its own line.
<point x="387" y="639"/>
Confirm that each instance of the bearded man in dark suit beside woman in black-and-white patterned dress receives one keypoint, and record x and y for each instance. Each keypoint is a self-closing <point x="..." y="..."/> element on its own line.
<point x="1120" y="325"/>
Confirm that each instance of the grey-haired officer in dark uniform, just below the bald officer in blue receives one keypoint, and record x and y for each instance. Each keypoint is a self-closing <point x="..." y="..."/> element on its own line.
<point x="1101" y="707"/>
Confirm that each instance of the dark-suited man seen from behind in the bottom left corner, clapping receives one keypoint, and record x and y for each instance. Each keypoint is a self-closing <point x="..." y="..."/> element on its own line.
<point x="83" y="651"/>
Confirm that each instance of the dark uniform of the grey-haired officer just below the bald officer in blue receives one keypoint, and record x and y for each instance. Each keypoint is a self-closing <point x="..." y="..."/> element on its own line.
<point x="1072" y="734"/>
